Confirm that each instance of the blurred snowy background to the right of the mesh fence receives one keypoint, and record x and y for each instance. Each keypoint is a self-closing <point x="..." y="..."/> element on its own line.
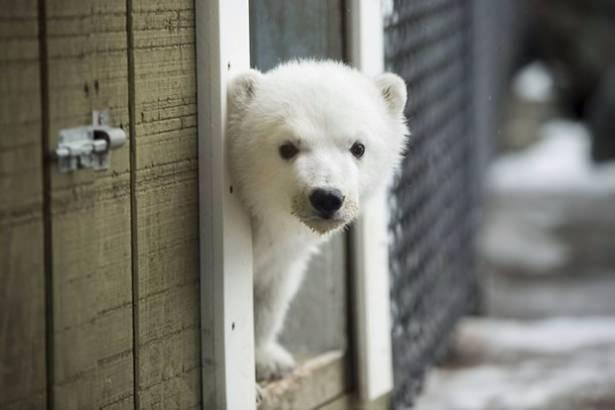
<point x="543" y="336"/>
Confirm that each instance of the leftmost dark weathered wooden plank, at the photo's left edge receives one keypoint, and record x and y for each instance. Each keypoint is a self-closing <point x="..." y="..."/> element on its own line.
<point x="22" y="299"/>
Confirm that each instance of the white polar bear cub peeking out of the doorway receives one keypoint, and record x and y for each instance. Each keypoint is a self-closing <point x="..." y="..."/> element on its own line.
<point x="309" y="142"/>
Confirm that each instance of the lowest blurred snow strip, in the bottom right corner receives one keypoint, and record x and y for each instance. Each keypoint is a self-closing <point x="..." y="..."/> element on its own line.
<point x="529" y="386"/>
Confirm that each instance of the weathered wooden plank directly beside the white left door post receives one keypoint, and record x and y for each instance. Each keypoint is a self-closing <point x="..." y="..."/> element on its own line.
<point x="166" y="205"/>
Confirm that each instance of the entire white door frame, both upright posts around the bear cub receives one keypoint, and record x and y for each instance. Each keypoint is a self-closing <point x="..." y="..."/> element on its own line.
<point x="223" y="48"/>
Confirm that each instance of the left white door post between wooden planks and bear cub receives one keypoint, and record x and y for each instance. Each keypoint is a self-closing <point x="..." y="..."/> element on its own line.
<point x="223" y="48"/>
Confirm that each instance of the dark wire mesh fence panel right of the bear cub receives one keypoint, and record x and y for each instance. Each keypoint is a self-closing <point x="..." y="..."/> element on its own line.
<point x="438" y="47"/>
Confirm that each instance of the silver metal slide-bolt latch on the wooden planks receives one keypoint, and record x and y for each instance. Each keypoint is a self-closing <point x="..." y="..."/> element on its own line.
<point x="88" y="146"/>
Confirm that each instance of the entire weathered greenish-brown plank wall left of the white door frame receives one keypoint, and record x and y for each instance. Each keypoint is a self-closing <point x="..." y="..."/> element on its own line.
<point x="99" y="300"/>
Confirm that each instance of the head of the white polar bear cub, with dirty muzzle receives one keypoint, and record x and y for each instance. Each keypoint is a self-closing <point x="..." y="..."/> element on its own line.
<point x="313" y="140"/>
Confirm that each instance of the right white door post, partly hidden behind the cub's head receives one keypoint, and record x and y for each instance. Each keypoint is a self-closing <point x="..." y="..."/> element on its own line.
<point x="370" y="247"/>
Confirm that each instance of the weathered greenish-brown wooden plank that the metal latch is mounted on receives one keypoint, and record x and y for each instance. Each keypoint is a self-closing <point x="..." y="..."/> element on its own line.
<point x="92" y="293"/>
